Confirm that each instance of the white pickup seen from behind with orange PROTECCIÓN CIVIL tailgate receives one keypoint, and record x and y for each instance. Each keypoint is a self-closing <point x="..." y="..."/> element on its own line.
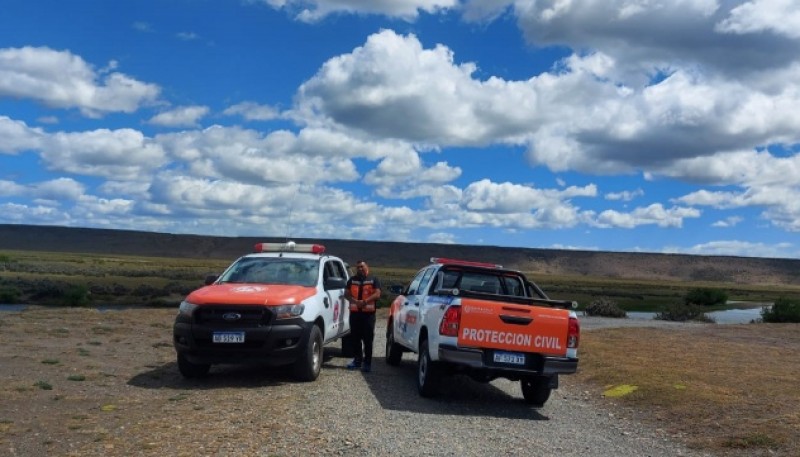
<point x="485" y="321"/>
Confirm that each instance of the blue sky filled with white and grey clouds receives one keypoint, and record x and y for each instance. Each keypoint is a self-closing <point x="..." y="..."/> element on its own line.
<point x="616" y="125"/>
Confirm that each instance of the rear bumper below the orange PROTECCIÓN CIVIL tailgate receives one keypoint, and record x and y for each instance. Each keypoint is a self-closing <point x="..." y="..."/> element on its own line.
<point x="482" y="359"/>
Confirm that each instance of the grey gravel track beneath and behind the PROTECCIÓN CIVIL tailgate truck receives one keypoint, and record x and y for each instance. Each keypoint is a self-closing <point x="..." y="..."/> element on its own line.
<point x="380" y="413"/>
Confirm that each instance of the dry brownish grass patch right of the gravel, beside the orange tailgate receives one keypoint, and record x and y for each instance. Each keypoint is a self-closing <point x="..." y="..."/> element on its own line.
<point x="729" y="389"/>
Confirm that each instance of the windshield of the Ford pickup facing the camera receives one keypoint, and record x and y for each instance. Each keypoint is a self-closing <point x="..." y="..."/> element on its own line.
<point x="272" y="270"/>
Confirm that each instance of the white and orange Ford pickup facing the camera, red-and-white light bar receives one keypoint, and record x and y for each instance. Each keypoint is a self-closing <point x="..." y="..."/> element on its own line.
<point x="277" y="306"/>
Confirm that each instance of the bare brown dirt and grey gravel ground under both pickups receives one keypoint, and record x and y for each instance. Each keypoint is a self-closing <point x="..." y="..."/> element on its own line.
<point x="134" y="402"/>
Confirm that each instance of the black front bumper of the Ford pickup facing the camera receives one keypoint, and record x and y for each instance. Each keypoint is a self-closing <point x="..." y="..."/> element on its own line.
<point x="279" y="343"/>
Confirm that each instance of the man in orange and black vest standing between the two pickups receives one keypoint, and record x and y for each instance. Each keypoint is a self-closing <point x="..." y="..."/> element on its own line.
<point x="363" y="291"/>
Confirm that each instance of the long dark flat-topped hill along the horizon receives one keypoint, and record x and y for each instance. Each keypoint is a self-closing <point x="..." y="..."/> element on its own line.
<point x="676" y="267"/>
